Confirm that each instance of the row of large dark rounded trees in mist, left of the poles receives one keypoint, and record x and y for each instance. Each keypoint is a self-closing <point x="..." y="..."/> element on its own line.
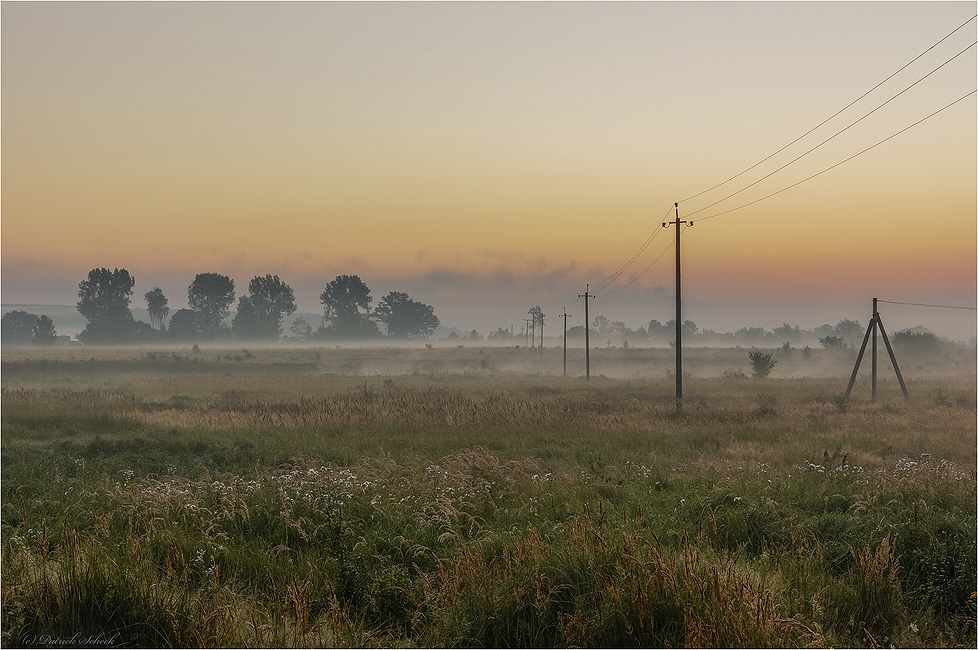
<point x="104" y="301"/>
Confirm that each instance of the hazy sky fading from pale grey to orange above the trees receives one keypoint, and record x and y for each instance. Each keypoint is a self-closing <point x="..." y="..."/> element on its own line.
<point x="489" y="157"/>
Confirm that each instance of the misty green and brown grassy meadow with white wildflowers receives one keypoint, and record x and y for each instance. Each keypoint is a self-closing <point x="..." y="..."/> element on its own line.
<point x="475" y="497"/>
